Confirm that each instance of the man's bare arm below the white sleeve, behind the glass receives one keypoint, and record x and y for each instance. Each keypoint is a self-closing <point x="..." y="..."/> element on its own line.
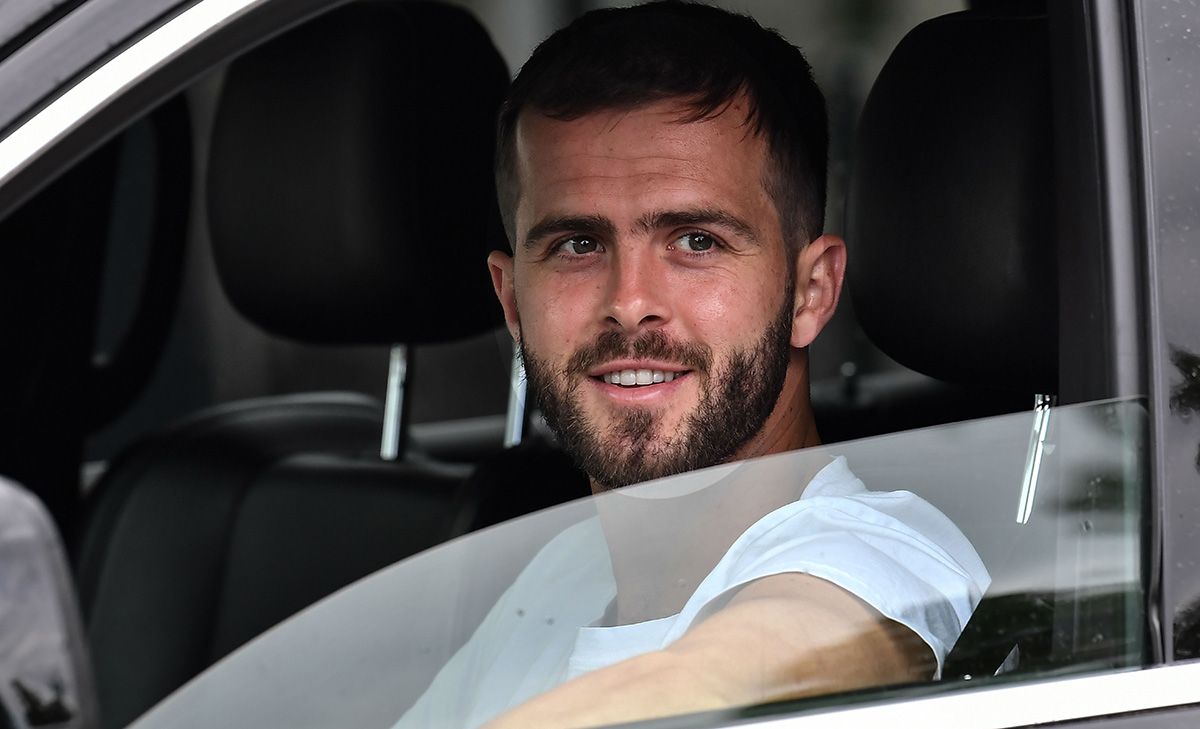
<point x="782" y="637"/>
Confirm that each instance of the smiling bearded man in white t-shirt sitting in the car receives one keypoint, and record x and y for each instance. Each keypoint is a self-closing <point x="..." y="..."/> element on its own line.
<point x="662" y="176"/>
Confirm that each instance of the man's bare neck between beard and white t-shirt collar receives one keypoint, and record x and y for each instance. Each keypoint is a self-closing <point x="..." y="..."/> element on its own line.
<point x="663" y="549"/>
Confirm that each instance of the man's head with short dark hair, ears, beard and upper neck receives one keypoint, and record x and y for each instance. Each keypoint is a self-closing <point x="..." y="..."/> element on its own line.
<point x="665" y="212"/>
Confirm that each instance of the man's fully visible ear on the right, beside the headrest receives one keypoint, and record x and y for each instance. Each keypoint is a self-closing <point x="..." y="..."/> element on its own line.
<point x="820" y="268"/>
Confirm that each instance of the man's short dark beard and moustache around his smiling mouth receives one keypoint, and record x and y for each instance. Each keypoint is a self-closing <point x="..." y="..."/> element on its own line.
<point x="735" y="405"/>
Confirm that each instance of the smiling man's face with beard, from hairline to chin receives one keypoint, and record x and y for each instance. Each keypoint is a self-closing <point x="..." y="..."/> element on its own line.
<point x="650" y="291"/>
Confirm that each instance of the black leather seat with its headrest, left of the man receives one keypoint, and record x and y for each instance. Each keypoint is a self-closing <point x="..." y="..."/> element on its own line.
<point x="351" y="202"/>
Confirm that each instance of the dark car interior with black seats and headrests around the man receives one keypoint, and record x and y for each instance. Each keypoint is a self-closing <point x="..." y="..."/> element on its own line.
<point x="343" y="176"/>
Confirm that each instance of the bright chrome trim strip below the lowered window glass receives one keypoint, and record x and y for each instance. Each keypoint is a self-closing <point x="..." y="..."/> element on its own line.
<point x="1021" y="706"/>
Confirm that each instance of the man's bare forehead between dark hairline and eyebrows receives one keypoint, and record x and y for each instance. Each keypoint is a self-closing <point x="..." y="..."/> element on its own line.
<point x="650" y="155"/>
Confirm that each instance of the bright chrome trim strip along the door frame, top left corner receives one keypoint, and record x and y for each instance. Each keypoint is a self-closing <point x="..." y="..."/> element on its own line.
<point x="112" y="79"/>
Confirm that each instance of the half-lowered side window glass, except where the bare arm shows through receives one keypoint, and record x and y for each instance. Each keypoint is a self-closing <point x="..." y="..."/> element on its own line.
<point x="1025" y="531"/>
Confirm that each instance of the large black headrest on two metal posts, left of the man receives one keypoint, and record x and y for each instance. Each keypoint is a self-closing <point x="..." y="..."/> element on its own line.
<point x="351" y="191"/>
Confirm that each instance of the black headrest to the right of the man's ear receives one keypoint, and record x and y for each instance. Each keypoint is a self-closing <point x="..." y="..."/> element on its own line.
<point x="951" y="204"/>
